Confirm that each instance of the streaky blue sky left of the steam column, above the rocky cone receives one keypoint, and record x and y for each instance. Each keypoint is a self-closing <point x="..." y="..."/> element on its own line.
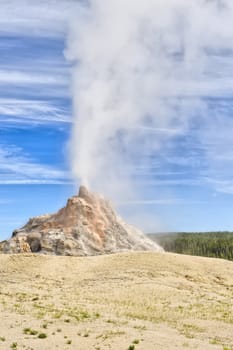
<point x="35" y="112"/>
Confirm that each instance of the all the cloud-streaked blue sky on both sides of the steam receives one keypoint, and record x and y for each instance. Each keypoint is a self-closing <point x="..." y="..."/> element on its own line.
<point x="187" y="185"/>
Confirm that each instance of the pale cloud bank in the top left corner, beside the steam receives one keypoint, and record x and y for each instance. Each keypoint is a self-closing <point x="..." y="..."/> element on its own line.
<point x="47" y="18"/>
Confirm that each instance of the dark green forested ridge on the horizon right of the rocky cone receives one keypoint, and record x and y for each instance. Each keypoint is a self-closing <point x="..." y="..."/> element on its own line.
<point x="210" y="244"/>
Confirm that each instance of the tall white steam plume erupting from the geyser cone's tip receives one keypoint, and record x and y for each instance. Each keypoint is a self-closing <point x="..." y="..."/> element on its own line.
<point x="140" y="71"/>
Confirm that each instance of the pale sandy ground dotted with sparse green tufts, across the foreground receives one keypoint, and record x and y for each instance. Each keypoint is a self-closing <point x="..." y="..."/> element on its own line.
<point x="124" y="301"/>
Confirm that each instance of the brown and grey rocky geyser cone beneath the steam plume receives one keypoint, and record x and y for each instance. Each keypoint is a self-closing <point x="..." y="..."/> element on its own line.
<point x="87" y="225"/>
